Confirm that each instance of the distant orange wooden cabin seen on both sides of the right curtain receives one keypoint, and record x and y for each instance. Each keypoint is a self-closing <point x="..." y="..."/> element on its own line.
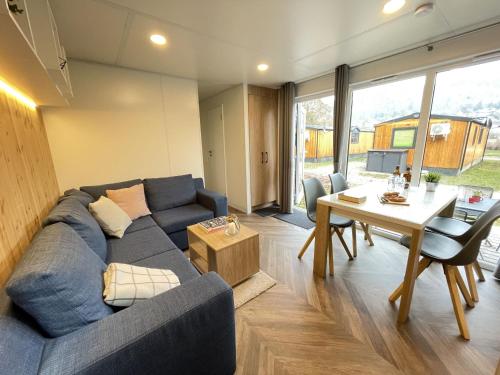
<point x="319" y="143"/>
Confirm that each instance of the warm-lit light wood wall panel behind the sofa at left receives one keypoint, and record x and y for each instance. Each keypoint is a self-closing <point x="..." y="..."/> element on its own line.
<point x="28" y="185"/>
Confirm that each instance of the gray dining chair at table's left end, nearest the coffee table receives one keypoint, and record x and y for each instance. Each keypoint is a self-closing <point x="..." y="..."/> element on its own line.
<point x="313" y="189"/>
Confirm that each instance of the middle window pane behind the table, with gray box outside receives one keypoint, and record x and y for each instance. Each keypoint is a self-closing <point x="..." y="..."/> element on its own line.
<point x="384" y="117"/>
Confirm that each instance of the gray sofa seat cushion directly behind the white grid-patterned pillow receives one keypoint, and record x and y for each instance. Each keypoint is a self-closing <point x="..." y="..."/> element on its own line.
<point x="138" y="245"/>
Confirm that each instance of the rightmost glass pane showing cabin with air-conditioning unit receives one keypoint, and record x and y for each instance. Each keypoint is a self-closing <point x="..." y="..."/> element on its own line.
<point x="463" y="142"/>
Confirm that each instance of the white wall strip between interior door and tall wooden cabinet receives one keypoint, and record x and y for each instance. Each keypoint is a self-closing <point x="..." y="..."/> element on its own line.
<point x="235" y="111"/>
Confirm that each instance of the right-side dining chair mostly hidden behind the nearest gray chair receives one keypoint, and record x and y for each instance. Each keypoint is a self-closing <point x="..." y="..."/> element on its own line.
<point x="455" y="228"/>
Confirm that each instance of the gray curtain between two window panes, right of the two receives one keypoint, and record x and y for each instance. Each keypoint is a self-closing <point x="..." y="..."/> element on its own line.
<point x="341" y="92"/>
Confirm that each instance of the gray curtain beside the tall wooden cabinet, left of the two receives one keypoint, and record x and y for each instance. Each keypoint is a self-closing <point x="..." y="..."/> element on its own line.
<point x="287" y="145"/>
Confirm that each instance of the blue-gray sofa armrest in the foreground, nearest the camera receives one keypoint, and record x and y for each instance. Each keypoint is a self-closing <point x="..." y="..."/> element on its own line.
<point x="187" y="330"/>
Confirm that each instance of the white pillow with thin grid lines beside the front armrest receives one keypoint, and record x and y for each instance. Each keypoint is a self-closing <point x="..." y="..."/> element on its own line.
<point x="124" y="284"/>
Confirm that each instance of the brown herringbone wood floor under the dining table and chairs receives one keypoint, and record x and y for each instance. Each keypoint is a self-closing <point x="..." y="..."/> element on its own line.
<point x="345" y="324"/>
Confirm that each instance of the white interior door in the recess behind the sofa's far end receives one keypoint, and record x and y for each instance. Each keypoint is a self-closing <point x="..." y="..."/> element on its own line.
<point x="214" y="157"/>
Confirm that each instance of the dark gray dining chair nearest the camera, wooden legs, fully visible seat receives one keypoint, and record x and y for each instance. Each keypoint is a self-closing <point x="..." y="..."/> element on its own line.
<point x="451" y="253"/>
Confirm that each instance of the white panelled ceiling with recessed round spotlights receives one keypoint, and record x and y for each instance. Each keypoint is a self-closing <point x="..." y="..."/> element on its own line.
<point x="220" y="42"/>
